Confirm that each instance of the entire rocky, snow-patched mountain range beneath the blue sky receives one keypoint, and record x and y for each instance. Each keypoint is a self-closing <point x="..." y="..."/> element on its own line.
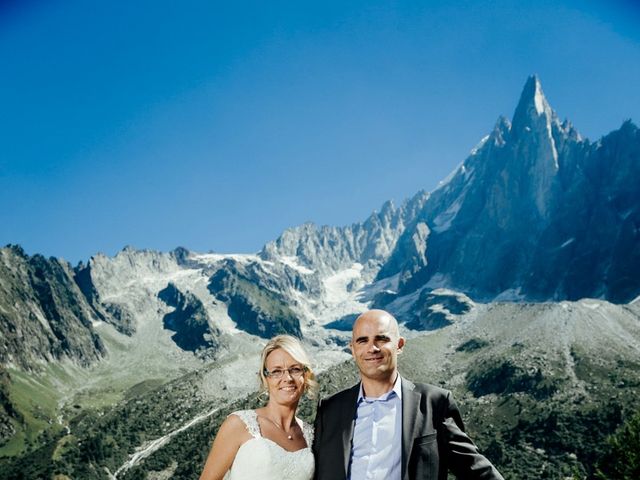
<point x="533" y="222"/>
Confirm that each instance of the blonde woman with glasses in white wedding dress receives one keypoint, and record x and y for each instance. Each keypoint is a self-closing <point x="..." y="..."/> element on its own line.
<point x="269" y="443"/>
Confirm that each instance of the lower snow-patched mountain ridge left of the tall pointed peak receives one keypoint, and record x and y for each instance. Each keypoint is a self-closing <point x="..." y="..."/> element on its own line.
<point x="144" y="318"/>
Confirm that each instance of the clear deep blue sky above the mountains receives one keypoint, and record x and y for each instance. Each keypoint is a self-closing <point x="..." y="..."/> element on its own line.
<point x="216" y="125"/>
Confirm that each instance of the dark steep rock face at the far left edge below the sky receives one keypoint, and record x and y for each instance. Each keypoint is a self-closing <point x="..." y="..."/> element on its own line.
<point x="43" y="313"/>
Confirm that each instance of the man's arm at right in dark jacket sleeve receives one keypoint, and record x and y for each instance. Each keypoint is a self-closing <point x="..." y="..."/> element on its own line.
<point x="464" y="459"/>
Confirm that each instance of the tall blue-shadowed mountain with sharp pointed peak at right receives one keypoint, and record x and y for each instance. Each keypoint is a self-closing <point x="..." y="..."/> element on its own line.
<point x="534" y="213"/>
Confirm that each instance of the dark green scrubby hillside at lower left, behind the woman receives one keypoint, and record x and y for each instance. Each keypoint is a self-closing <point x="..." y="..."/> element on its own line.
<point x="101" y="440"/>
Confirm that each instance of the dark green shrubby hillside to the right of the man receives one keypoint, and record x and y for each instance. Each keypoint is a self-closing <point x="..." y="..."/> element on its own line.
<point x="533" y="422"/>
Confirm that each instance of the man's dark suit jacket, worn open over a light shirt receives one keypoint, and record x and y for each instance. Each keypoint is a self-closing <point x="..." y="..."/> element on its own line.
<point x="433" y="438"/>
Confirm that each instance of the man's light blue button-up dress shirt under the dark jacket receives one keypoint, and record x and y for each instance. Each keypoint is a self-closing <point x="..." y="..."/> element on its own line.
<point x="376" y="449"/>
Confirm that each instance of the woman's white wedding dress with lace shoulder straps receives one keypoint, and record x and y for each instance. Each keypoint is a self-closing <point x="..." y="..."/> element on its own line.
<point x="261" y="458"/>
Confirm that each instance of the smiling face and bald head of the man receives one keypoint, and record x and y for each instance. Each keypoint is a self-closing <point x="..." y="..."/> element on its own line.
<point x="375" y="345"/>
